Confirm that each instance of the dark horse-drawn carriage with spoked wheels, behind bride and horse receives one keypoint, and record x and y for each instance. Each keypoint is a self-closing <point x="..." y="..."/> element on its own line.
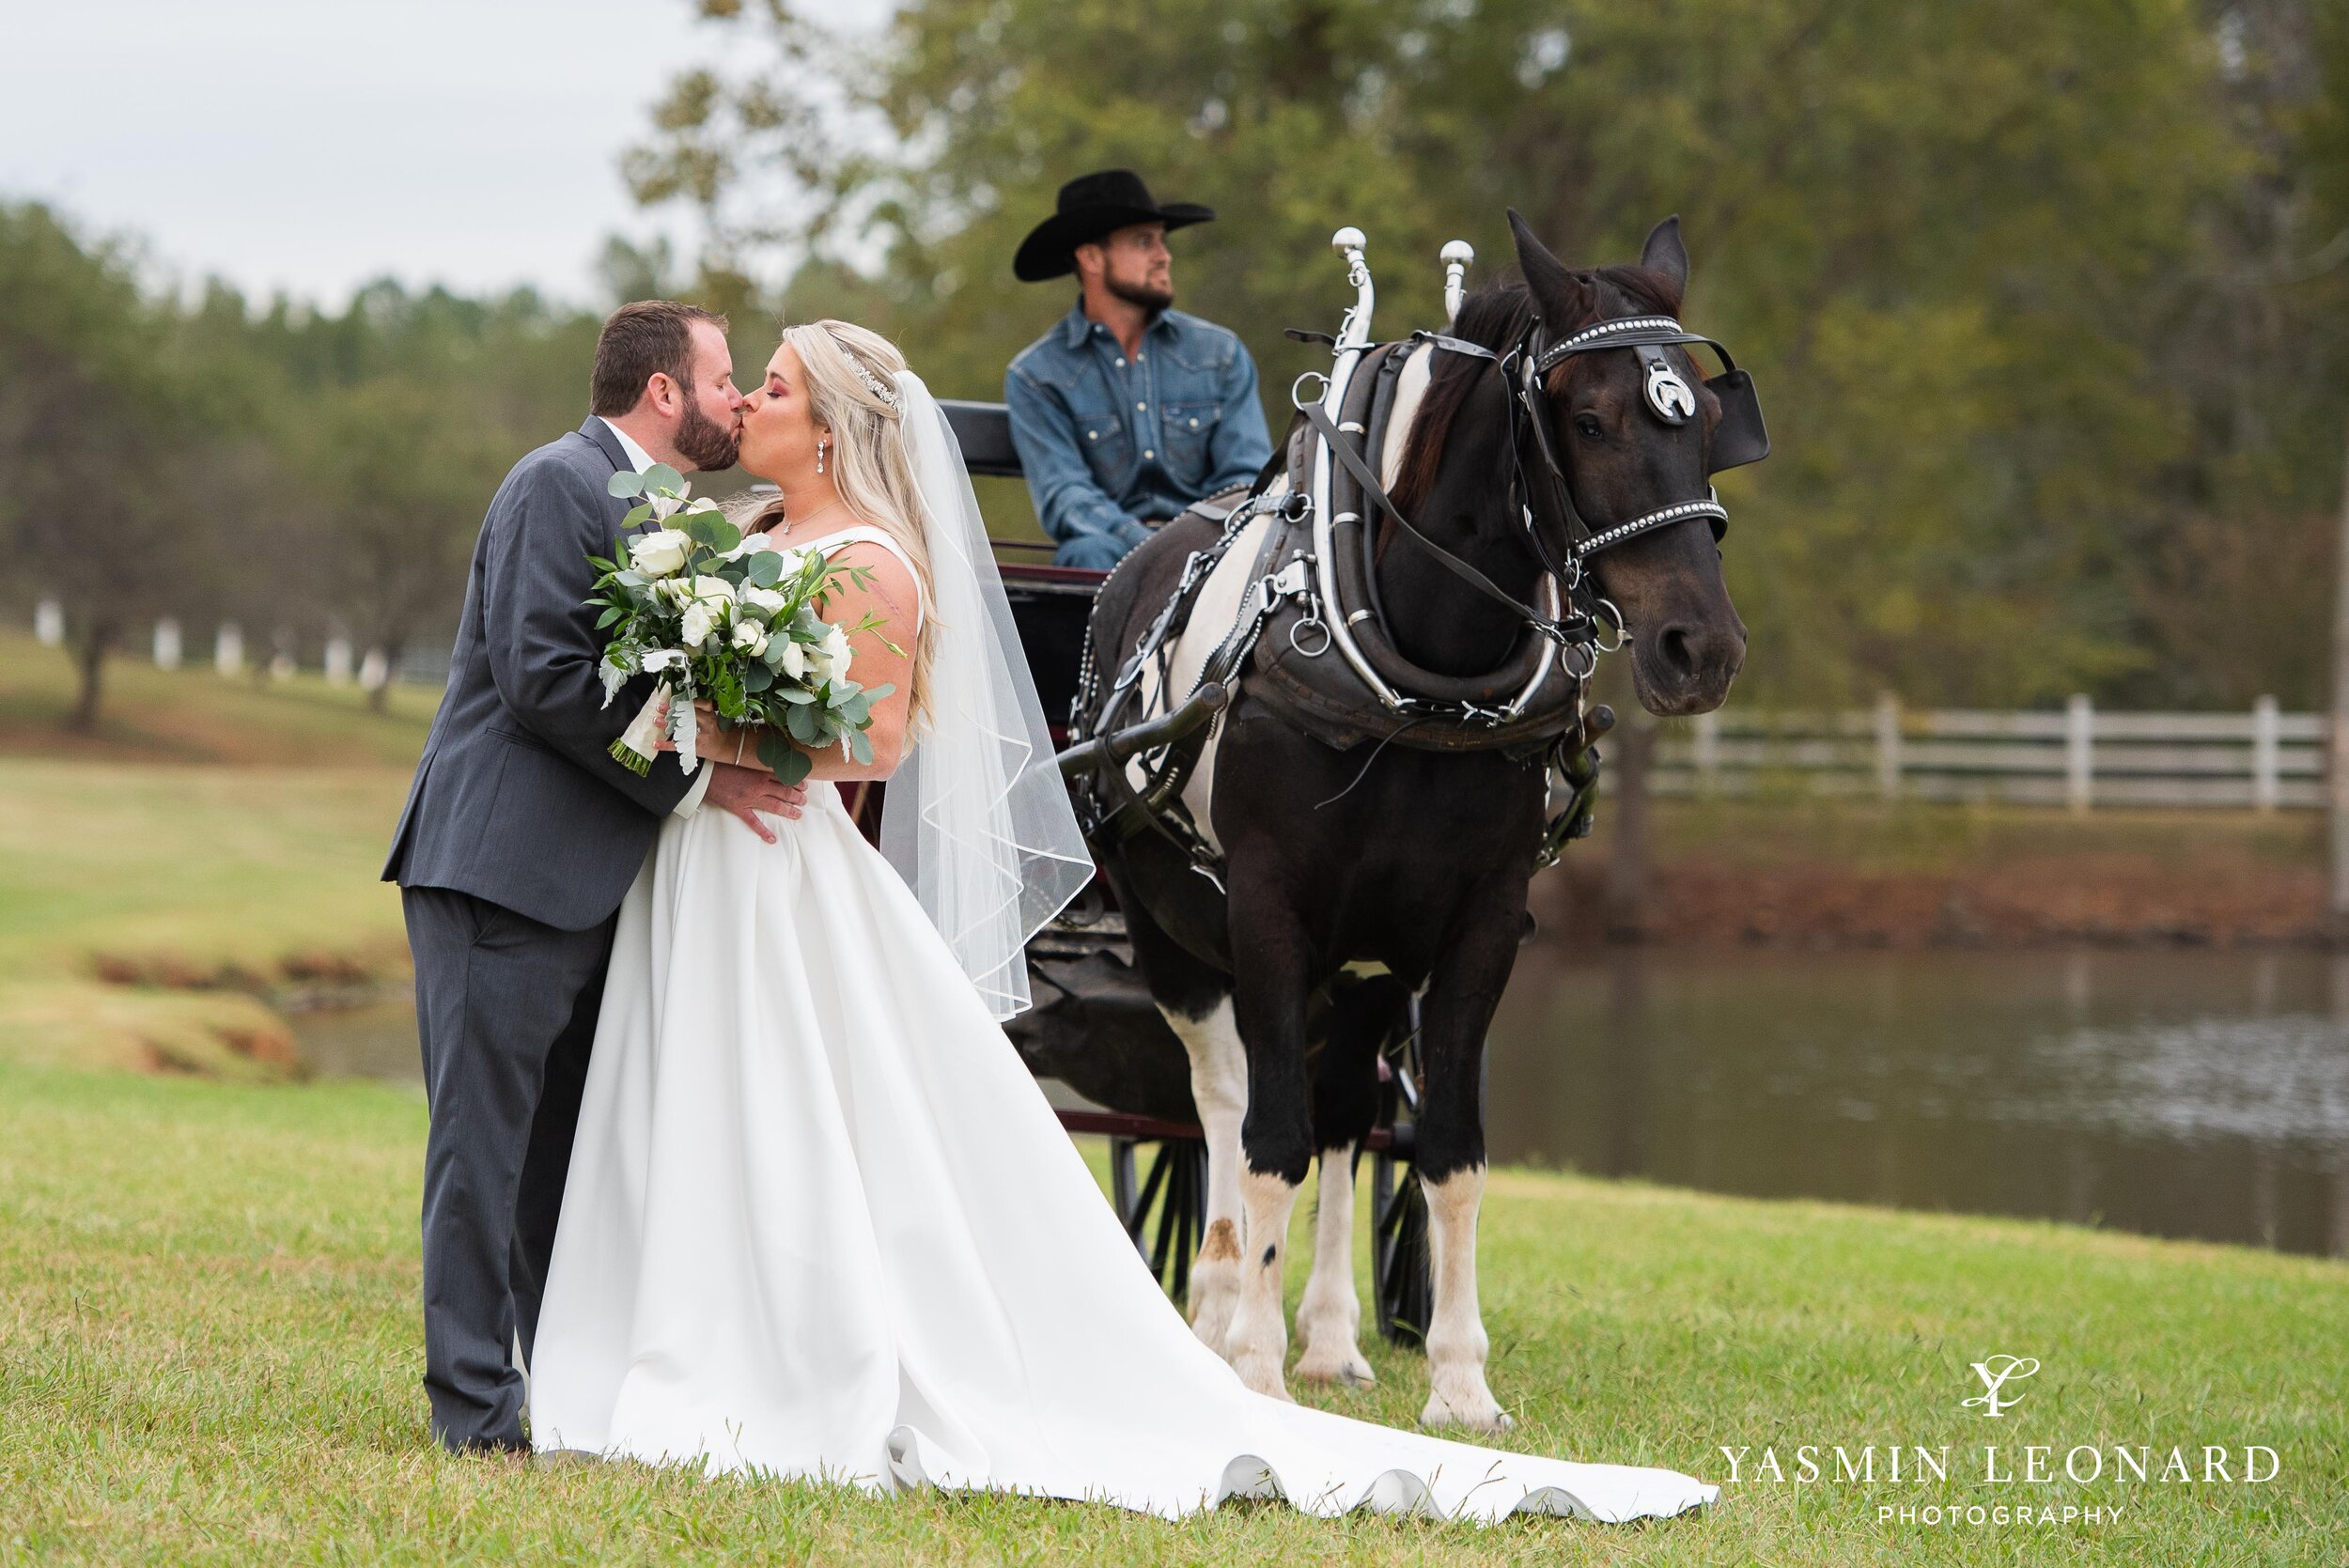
<point x="1093" y="1025"/>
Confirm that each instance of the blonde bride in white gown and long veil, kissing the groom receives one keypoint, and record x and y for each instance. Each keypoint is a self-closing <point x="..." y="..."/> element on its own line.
<point x="821" y="1222"/>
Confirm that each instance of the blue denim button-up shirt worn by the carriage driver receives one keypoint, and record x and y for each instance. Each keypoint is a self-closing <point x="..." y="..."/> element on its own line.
<point x="1110" y="445"/>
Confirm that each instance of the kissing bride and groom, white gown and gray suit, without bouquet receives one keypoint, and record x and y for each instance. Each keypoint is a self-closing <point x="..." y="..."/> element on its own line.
<point x="729" y="1158"/>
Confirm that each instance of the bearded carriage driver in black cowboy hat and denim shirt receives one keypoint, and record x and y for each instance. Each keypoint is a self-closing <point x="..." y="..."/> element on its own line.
<point x="1129" y="410"/>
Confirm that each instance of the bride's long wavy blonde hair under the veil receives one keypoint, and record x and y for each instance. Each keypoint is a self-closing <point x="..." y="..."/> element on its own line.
<point x="852" y="393"/>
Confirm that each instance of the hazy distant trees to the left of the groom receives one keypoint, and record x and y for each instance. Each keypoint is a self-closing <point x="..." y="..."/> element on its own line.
<point x="292" y="471"/>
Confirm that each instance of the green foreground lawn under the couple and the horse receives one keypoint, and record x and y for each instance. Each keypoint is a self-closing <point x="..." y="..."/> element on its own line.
<point x="210" y="1353"/>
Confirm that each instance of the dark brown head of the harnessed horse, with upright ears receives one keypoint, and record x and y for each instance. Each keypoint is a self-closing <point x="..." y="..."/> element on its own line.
<point x="1634" y="435"/>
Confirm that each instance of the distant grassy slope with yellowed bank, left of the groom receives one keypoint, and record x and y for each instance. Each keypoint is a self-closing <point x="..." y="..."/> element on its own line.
<point x="210" y="842"/>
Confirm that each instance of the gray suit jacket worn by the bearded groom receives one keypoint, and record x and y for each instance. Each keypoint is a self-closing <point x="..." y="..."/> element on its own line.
<point x="518" y="799"/>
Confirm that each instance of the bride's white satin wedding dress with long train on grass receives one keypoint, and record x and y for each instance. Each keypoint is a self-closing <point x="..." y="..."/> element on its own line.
<point x="823" y="1224"/>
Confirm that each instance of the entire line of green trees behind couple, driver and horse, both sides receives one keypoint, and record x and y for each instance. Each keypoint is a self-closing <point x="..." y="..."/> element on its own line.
<point x="2050" y="304"/>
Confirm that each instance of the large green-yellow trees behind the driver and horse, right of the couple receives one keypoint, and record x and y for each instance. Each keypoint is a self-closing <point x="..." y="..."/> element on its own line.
<point x="2050" y="304"/>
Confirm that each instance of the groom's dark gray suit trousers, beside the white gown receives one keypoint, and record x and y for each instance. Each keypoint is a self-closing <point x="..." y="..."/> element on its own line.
<point x="506" y="1011"/>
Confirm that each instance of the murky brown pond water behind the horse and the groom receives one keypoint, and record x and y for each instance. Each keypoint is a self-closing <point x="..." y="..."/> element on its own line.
<point x="2181" y="1093"/>
